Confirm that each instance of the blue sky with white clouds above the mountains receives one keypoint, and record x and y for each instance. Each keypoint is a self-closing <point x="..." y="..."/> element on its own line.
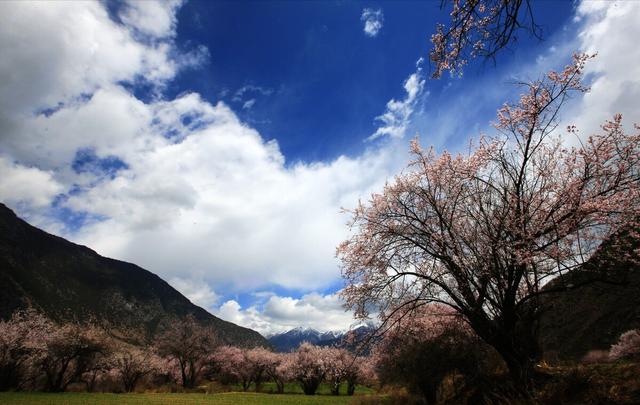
<point x="216" y="143"/>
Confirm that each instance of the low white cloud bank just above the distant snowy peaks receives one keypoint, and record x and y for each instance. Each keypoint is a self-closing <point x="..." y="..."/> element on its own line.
<point x="279" y="314"/>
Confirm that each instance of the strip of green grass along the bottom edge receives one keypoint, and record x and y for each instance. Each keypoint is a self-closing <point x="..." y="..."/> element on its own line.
<point x="229" y="398"/>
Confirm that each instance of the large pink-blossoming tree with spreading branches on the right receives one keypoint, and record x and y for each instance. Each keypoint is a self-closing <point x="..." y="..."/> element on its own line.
<point x="482" y="232"/>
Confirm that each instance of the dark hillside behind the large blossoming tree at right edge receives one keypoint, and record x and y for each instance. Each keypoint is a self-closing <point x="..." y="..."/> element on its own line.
<point x="601" y="301"/>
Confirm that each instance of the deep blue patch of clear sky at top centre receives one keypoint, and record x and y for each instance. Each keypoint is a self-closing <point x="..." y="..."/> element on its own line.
<point x="305" y="61"/>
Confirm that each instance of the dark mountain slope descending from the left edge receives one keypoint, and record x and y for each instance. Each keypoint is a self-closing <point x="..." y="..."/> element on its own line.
<point x="72" y="282"/>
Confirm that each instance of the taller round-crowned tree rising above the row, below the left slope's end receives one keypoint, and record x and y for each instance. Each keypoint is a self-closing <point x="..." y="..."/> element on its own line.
<point x="189" y="344"/>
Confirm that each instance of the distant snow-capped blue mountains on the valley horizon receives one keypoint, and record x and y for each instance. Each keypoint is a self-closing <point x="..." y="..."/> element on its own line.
<point x="290" y="340"/>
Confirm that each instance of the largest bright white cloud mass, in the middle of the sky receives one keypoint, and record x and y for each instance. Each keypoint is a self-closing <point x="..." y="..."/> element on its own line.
<point x="221" y="205"/>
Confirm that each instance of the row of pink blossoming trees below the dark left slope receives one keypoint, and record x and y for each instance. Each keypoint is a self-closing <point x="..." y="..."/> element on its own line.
<point x="38" y="354"/>
